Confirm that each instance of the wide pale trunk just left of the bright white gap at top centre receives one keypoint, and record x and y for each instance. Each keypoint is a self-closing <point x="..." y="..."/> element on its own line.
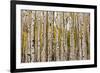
<point x="50" y="35"/>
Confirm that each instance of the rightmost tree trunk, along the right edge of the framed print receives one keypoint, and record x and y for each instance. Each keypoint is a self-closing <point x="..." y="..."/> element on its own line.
<point x="87" y="35"/>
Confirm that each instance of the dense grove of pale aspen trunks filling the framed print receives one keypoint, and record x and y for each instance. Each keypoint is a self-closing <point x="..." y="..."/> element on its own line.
<point x="54" y="36"/>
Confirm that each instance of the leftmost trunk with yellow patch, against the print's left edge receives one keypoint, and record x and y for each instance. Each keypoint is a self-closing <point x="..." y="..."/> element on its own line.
<point x="23" y="35"/>
